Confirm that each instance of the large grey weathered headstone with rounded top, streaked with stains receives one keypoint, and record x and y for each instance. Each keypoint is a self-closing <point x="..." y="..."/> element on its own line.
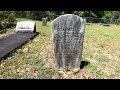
<point x="68" y="37"/>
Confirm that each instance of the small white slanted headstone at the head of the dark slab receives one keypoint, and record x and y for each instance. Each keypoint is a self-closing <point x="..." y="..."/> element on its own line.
<point x="26" y="26"/>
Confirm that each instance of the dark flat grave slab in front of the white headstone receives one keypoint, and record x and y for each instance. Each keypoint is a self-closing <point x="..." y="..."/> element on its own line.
<point x="12" y="41"/>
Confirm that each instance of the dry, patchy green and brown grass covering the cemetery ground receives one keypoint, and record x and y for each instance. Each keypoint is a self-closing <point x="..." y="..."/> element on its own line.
<point x="35" y="59"/>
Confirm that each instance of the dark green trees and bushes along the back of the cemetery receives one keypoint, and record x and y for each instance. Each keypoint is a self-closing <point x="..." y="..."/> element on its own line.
<point x="8" y="18"/>
